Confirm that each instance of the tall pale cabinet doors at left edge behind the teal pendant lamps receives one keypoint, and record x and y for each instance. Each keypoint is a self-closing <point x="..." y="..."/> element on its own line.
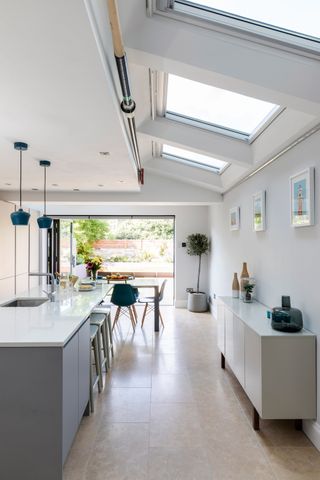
<point x="19" y="252"/>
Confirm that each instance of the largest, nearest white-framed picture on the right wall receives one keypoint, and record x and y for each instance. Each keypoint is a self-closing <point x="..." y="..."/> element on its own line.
<point x="302" y="198"/>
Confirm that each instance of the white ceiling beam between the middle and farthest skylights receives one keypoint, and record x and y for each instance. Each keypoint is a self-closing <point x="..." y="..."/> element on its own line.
<point x="209" y="143"/>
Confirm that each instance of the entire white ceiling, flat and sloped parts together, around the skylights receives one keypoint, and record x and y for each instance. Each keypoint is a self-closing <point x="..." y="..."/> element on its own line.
<point x="59" y="92"/>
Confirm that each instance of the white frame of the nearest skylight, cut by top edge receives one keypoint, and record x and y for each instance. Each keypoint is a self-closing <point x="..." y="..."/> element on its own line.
<point x="242" y="27"/>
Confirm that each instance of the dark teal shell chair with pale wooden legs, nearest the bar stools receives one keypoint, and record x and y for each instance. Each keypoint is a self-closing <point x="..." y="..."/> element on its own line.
<point x="123" y="296"/>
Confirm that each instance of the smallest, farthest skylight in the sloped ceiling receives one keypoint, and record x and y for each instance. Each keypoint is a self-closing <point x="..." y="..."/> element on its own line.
<point x="193" y="159"/>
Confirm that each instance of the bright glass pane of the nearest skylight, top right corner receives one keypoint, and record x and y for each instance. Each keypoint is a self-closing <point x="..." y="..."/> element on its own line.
<point x="293" y="15"/>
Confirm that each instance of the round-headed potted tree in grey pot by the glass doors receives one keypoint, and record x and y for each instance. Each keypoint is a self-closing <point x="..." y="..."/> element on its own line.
<point x="197" y="244"/>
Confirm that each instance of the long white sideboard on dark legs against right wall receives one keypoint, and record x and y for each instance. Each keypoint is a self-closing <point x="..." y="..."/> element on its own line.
<point x="277" y="370"/>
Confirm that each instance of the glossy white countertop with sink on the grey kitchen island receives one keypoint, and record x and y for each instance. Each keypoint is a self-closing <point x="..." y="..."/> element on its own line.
<point x="51" y="324"/>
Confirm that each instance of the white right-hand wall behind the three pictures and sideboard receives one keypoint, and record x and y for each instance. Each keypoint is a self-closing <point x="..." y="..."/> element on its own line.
<point x="284" y="260"/>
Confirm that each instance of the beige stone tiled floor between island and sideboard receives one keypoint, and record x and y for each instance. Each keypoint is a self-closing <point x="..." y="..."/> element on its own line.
<point x="168" y="412"/>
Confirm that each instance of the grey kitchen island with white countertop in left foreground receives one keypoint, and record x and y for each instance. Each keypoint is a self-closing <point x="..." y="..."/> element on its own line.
<point x="44" y="382"/>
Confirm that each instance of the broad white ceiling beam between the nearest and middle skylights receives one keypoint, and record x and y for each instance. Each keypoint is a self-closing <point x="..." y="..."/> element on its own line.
<point x="164" y="44"/>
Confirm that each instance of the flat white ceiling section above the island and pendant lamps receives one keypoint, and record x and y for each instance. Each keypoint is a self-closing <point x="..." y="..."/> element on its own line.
<point x="55" y="96"/>
